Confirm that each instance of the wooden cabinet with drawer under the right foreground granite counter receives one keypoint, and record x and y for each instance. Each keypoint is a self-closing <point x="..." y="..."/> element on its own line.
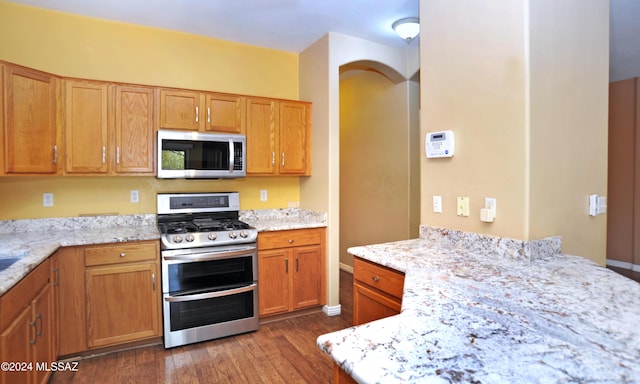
<point x="377" y="291"/>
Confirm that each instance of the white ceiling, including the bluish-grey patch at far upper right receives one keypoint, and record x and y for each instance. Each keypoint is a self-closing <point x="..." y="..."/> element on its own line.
<point x="293" y="25"/>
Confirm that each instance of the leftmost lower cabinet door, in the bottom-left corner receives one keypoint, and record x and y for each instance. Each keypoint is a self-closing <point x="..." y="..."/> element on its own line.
<point x="15" y="346"/>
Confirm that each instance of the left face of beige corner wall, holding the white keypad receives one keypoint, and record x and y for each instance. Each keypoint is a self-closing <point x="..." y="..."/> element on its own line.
<point x="473" y="83"/>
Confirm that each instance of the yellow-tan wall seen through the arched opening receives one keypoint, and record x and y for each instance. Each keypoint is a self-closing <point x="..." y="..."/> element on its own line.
<point x="375" y="180"/>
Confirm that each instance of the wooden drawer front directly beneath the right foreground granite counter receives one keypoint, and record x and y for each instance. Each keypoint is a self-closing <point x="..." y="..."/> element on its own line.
<point x="382" y="278"/>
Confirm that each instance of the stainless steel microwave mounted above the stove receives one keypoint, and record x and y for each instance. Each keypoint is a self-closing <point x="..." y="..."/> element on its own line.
<point x="200" y="155"/>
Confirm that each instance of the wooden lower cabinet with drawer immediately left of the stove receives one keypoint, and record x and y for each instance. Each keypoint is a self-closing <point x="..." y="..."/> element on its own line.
<point x="107" y="295"/>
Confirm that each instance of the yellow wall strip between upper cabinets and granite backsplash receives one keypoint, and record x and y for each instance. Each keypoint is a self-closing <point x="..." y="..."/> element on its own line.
<point x="73" y="196"/>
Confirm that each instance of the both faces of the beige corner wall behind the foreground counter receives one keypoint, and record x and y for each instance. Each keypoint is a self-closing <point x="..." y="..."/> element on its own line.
<point x="523" y="84"/>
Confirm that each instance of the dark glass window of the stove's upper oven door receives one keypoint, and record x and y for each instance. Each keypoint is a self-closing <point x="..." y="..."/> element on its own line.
<point x="202" y="276"/>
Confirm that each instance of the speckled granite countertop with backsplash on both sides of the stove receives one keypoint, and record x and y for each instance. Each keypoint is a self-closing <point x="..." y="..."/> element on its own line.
<point x="33" y="240"/>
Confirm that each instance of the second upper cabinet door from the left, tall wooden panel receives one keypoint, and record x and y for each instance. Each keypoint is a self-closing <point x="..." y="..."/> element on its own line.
<point x="86" y="129"/>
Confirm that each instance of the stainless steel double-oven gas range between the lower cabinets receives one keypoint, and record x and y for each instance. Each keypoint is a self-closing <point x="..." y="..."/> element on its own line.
<point x="209" y="267"/>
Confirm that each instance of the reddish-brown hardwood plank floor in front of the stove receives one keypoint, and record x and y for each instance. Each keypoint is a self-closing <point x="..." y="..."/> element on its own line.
<point x="282" y="351"/>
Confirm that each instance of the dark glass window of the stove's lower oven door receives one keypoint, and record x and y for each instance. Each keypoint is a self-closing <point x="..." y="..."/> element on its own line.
<point x="197" y="313"/>
